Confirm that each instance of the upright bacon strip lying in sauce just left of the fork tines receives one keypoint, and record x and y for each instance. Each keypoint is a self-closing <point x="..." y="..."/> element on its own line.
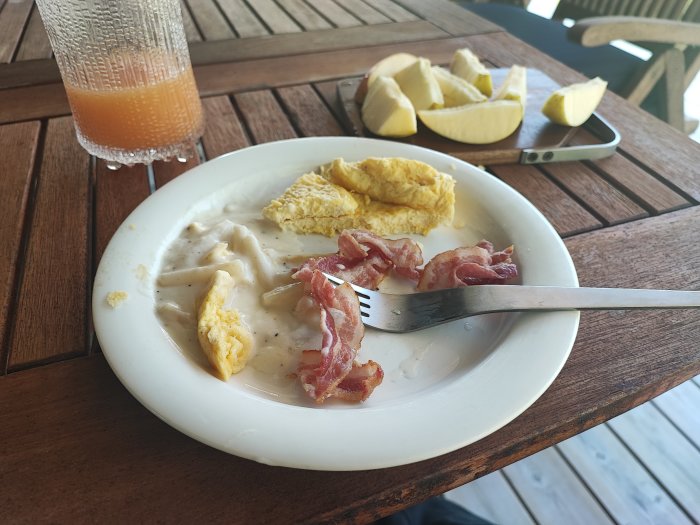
<point x="342" y="332"/>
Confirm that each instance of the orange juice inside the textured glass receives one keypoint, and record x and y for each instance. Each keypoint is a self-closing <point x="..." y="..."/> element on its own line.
<point x="136" y="117"/>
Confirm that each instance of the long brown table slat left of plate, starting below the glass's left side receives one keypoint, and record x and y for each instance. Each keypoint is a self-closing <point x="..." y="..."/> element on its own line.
<point x="54" y="286"/>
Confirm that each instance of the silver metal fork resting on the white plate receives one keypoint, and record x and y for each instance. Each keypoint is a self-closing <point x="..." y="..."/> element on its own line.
<point x="416" y="311"/>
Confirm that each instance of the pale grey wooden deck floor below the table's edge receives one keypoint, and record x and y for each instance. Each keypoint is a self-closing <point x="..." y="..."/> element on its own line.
<point x="641" y="467"/>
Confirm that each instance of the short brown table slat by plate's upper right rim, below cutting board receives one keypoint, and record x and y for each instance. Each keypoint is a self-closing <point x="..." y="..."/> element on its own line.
<point x="566" y="215"/>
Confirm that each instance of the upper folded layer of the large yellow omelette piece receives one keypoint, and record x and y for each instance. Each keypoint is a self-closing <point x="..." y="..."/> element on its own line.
<point x="397" y="181"/>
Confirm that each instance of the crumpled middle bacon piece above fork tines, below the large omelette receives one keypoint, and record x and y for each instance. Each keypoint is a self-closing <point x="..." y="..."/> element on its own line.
<point x="364" y="259"/>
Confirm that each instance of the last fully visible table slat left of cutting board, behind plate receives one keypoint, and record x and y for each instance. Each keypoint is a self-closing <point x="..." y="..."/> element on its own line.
<point x="308" y="113"/>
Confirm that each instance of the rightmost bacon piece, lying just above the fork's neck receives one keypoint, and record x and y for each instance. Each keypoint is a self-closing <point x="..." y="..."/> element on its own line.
<point x="468" y="266"/>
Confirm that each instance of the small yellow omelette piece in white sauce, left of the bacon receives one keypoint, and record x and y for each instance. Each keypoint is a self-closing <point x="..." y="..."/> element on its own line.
<point x="224" y="338"/>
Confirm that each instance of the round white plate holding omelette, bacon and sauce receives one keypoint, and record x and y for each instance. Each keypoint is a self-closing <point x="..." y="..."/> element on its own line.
<point x="444" y="388"/>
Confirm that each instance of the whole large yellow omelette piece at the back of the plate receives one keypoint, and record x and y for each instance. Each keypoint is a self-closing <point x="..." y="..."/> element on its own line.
<point x="386" y="196"/>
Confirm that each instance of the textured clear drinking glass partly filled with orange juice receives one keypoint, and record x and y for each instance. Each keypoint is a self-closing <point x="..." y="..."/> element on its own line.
<point x="127" y="72"/>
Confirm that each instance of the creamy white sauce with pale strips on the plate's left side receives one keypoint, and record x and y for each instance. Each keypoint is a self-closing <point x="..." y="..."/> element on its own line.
<point x="259" y="257"/>
